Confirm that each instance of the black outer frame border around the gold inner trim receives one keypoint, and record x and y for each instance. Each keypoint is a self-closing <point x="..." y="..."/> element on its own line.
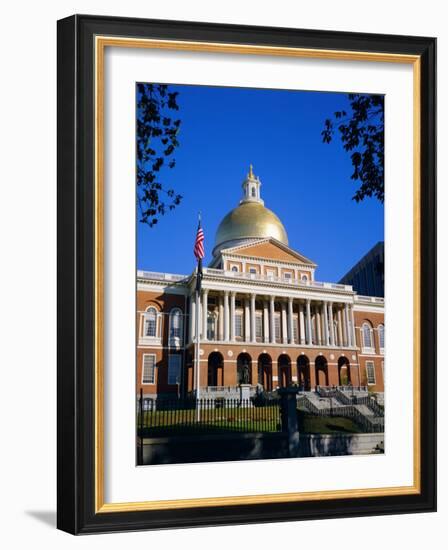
<point x="75" y="403"/>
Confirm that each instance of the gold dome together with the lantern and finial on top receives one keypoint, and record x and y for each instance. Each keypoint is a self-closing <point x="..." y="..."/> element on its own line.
<point x="250" y="220"/>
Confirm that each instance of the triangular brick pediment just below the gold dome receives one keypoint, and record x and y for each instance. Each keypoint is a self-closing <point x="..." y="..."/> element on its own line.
<point x="269" y="249"/>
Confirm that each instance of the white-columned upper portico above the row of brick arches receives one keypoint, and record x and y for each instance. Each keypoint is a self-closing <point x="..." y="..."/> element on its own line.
<point x="254" y="315"/>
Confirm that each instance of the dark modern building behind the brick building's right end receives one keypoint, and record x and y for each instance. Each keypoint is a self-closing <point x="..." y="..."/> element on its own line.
<point x="367" y="276"/>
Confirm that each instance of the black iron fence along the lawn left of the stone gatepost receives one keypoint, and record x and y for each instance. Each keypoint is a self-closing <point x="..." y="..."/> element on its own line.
<point x="166" y="417"/>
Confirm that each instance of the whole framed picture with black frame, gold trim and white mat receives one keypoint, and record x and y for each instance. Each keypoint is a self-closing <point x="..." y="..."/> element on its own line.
<point x="246" y="268"/>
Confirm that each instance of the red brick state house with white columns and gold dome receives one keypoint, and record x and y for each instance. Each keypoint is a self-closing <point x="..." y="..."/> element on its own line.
<point x="265" y="311"/>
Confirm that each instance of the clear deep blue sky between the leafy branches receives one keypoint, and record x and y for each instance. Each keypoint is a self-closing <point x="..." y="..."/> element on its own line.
<point x="304" y="181"/>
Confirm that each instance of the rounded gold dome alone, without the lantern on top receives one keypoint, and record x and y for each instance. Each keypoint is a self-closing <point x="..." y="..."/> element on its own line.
<point x="246" y="221"/>
